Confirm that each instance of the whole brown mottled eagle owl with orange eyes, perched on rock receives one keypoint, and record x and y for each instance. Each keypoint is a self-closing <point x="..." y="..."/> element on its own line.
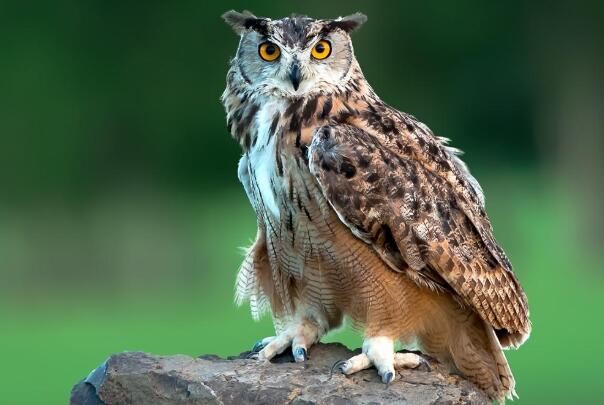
<point x="362" y="213"/>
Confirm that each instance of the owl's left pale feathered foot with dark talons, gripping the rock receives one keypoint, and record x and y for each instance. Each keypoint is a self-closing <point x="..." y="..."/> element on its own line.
<point x="299" y="336"/>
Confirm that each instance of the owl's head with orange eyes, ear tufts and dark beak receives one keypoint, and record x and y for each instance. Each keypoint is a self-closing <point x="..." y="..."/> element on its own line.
<point x="293" y="56"/>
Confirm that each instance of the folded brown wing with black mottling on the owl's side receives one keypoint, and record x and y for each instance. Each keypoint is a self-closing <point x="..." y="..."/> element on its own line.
<point x="414" y="219"/>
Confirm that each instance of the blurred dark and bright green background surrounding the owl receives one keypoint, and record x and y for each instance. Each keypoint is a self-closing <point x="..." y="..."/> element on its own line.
<point x="121" y="216"/>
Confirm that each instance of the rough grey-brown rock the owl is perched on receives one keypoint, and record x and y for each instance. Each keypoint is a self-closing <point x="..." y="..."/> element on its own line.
<point x="140" y="378"/>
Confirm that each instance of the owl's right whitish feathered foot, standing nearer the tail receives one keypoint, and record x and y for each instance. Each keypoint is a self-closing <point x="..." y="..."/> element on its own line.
<point x="379" y="352"/>
